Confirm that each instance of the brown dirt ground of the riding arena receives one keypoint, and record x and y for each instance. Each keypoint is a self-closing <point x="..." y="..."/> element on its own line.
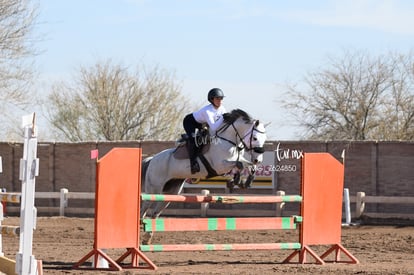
<point x="60" y="242"/>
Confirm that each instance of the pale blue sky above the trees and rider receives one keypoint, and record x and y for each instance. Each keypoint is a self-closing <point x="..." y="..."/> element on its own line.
<point x="249" y="49"/>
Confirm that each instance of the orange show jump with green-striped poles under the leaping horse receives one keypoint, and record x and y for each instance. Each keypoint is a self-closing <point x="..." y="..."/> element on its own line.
<point x="117" y="219"/>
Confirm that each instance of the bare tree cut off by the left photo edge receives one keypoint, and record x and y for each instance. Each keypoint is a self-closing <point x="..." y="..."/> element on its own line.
<point x="17" y="21"/>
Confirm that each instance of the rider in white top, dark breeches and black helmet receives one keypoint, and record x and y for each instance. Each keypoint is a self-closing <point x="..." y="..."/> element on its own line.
<point x="212" y="114"/>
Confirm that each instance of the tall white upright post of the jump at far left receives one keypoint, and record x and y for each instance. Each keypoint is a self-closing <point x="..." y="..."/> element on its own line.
<point x="29" y="168"/>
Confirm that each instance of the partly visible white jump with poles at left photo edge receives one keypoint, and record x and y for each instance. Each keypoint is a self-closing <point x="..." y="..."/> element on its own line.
<point x="29" y="168"/>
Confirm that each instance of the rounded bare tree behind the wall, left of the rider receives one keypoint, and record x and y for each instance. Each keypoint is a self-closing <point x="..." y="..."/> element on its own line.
<point x="107" y="102"/>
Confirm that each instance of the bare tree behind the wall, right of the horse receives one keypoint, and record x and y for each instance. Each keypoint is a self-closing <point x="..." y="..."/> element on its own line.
<point x="357" y="97"/>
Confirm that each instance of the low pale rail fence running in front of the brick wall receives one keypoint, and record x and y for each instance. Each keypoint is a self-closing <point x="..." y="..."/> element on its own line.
<point x="359" y="202"/>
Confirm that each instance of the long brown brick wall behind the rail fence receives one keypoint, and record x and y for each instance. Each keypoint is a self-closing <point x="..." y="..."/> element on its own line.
<point x="377" y="168"/>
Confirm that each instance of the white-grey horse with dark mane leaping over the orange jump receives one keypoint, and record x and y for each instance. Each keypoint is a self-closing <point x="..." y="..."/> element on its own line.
<point x="165" y="172"/>
